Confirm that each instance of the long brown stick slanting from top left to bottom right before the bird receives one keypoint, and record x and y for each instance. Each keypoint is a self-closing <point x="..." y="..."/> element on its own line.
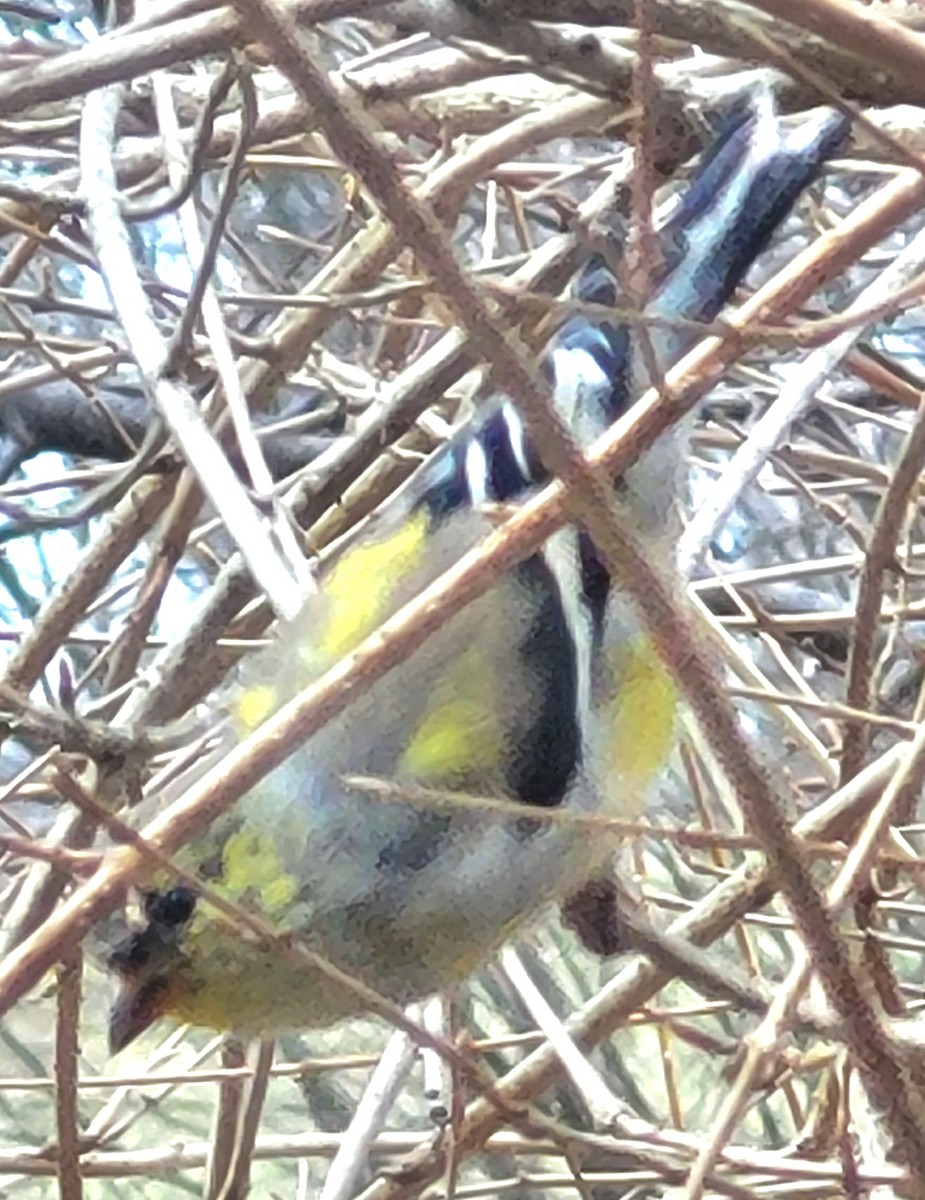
<point x="591" y="501"/>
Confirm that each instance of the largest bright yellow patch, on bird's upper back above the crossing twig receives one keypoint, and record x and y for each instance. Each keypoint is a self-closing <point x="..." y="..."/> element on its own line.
<point x="361" y="587"/>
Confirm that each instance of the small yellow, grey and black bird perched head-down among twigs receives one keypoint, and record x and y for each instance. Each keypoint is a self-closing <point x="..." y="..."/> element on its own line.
<point x="540" y="700"/>
